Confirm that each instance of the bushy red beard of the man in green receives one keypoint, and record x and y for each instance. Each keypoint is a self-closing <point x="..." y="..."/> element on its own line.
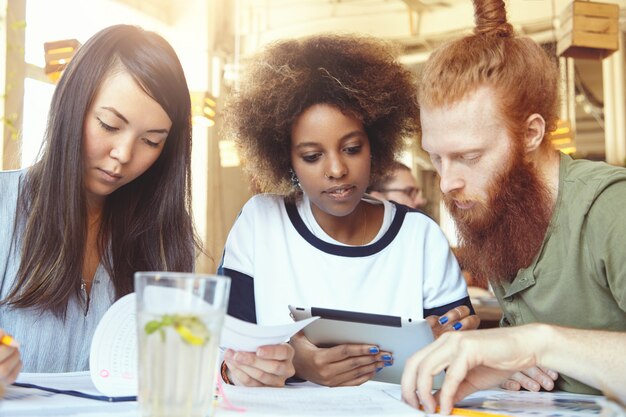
<point x="503" y="235"/>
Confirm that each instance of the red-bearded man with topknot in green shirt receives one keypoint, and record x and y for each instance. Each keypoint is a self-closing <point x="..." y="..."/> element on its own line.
<point x="545" y="230"/>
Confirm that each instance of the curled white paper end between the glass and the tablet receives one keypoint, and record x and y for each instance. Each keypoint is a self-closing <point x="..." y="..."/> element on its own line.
<point x="248" y="337"/>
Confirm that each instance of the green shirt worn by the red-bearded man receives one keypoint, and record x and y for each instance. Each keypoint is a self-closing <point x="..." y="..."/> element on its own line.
<point x="578" y="278"/>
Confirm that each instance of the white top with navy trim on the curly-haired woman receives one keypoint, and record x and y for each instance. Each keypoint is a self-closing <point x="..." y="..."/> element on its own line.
<point x="280" y="251"/>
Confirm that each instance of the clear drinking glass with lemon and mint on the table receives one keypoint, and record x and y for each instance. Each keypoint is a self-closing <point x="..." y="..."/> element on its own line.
<point x="179" y="323"/>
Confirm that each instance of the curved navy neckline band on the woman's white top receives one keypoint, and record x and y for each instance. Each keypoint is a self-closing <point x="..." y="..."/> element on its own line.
<point x="347" y="251"/>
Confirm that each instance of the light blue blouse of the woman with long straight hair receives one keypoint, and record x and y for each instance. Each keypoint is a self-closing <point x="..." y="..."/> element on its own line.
<point x="47" y="344"/>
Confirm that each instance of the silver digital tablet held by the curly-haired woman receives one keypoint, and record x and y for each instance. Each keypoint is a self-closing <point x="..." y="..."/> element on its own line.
<point x="402" y="336"/>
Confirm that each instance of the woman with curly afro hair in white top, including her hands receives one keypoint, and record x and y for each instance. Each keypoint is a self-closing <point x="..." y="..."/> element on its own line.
<point x="316" y="120"/>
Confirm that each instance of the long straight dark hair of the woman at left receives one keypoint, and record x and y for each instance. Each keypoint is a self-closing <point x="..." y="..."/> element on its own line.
<point x="146" y="224"/>
